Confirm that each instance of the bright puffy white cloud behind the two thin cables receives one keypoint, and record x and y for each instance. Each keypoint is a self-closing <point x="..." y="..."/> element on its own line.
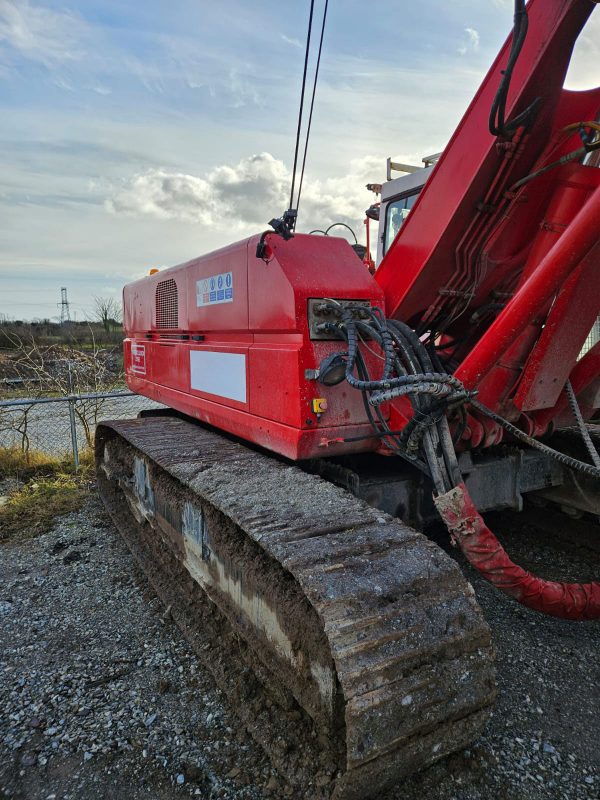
<point x="244" y="196"/>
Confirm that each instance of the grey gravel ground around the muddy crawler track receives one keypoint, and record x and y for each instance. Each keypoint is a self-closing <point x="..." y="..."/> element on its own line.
<point x="100" y="696"/>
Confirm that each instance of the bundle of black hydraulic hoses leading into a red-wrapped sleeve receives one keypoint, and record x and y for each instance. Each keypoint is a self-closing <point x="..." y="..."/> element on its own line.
<point x="409" y="370"/>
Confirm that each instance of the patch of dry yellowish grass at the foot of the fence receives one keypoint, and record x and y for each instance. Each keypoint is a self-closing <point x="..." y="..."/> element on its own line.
<point x="45" y="487"/>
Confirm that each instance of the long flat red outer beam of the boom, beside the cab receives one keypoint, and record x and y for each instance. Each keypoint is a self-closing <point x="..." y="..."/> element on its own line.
<point x="420" y="259"/>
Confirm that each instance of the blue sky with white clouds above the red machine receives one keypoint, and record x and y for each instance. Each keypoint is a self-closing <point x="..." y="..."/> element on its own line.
<point x="141" y="134"/>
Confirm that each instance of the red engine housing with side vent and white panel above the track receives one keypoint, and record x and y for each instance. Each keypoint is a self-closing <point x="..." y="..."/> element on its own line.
<point x="226" y="339"/>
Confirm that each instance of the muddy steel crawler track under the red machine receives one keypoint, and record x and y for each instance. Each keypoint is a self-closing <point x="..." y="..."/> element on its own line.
<point x="351" y="647"/>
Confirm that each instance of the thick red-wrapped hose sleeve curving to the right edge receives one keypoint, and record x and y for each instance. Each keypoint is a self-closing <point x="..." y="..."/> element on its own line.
<point x="576" y="601"/>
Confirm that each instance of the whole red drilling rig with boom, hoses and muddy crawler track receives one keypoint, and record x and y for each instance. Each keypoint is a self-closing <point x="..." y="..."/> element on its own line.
<point x="317" y="416"/>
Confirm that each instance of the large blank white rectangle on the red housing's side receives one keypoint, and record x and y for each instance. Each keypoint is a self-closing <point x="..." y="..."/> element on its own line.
<point x="223" y="374"/>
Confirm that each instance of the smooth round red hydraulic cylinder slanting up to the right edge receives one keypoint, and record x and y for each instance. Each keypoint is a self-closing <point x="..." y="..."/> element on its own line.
<point x="538" y="289"/>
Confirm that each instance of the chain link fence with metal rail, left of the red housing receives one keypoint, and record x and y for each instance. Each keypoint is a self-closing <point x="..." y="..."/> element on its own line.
<point x="61" y="426"/>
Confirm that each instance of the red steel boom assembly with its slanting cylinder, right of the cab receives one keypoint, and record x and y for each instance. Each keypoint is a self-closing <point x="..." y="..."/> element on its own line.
<point x="471" y="243"/>
